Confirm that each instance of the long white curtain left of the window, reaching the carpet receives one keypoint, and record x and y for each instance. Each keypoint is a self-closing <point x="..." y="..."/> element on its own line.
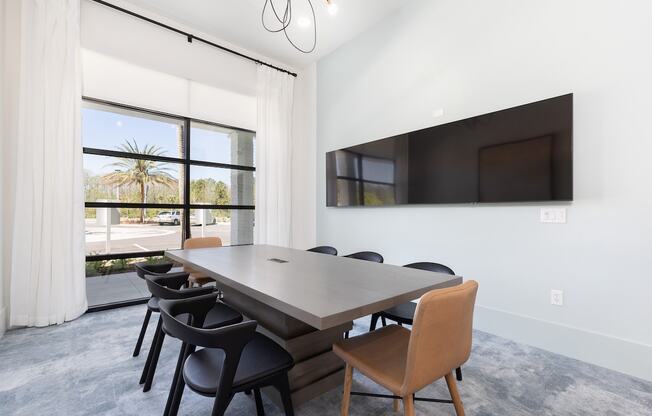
<point x="46" y="200"/>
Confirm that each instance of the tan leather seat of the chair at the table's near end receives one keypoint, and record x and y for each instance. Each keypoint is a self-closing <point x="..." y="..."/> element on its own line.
<point x="379" y="355"/>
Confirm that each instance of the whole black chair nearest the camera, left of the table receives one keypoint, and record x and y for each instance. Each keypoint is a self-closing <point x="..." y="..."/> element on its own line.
<point x="234" y="359"/>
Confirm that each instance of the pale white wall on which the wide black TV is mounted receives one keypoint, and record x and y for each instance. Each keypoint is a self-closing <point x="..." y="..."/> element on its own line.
<point x="468" y="58"/>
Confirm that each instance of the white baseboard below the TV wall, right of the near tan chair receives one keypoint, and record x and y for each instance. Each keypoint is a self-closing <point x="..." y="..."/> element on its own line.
<point x="623" y="355"/>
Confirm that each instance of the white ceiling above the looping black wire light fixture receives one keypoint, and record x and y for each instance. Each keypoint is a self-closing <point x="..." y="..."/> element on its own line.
<point x="239" y="23"/>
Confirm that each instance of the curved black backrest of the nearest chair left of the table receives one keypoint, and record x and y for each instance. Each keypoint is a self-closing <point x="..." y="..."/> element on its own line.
<point x="231" y="339"/>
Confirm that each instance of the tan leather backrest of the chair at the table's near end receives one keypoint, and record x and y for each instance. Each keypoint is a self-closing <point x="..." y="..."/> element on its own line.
<point x="441" y="335"/>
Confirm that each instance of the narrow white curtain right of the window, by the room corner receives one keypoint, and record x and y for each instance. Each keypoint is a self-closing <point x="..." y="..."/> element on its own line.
<point x="273" y="219"/>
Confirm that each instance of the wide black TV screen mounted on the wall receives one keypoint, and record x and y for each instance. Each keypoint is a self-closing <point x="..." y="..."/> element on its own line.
<point x="516" y="155"/>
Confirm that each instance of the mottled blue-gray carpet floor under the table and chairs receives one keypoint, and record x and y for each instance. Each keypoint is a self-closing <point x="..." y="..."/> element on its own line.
<point x="85" y="367"/>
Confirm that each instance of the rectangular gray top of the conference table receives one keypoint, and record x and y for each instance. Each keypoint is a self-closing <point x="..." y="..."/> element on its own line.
<point x="321" y="290"/>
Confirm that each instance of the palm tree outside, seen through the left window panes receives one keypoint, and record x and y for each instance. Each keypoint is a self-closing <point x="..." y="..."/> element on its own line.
<point x="140" y="172"/>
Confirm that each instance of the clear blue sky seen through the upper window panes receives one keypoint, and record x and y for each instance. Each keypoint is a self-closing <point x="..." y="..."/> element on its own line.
<point x="108" y="130"/>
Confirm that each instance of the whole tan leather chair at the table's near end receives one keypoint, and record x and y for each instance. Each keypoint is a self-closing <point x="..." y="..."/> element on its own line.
<point x="405" y="361"/>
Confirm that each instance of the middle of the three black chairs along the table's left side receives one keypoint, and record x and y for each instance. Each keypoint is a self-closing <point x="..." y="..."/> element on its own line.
<point x="169" y="287"/>
